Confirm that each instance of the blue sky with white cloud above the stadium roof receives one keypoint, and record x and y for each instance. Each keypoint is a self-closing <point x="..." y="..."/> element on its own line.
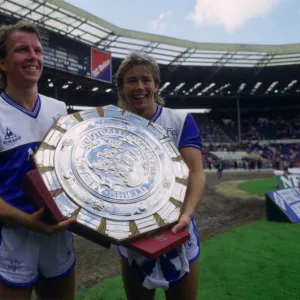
<point x="207" y="21"/>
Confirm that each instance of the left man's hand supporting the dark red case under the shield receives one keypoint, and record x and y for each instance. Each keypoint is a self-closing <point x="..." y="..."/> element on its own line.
<point x="35" y="223"/>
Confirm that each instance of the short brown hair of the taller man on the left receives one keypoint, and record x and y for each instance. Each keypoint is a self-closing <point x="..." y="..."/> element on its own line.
<point x="5" y="33"/>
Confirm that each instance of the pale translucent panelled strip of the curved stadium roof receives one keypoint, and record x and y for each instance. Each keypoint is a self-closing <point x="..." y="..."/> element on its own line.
<point x="69" y="20"/>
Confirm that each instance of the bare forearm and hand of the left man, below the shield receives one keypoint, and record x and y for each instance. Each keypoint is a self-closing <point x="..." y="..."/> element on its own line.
<point x="12" y="215"/>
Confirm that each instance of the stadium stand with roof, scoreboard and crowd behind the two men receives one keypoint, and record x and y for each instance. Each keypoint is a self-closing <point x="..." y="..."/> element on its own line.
<point x="251" y="91"/>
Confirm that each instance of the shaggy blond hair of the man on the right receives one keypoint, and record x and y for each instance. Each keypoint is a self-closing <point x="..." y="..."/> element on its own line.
<point x="137" y="59"/>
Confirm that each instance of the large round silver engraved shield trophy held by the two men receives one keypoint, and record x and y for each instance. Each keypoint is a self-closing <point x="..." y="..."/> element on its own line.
<point x="116" y="172"/>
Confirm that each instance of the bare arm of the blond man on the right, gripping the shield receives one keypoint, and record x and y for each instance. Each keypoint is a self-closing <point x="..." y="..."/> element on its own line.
<point x="195" y="186"/>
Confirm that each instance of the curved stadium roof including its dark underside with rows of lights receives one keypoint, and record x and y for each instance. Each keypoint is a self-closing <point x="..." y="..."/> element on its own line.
<point x="194" y="75"/>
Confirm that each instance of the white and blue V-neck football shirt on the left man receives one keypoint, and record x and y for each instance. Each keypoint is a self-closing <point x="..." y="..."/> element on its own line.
<point x="21" y="132"/>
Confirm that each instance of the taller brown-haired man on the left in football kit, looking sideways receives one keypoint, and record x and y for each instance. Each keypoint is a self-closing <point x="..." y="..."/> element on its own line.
<point x="32" y="252"/>
